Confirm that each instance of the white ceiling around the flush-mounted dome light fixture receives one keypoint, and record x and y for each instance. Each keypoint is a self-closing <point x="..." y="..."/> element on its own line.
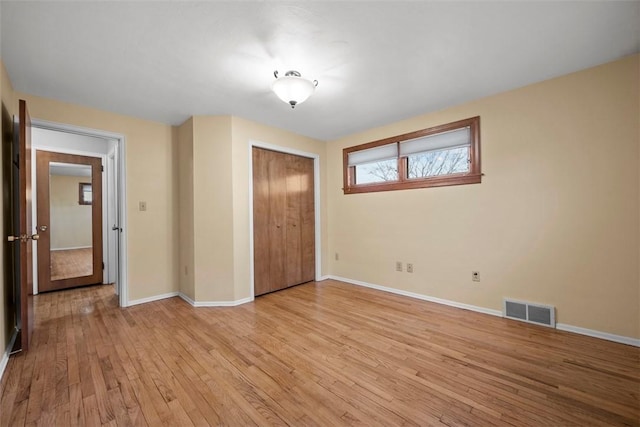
<point x="376" y="62"/>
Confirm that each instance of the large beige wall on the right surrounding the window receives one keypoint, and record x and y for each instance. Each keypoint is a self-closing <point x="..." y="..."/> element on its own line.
<point x="555" y="221"/>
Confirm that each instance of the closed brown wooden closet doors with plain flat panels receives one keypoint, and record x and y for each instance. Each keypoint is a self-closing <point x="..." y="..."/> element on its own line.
<point x="284" y="235"/>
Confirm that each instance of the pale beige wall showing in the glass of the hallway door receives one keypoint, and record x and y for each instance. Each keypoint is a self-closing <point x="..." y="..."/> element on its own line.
<point x="70" y="221"/>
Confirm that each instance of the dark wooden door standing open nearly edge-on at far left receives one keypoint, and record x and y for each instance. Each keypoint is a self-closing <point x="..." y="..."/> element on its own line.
<point x="22" y="228"/>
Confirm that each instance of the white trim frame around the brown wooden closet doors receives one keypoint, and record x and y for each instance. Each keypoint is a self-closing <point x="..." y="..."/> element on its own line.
<point x="316" y="200"/>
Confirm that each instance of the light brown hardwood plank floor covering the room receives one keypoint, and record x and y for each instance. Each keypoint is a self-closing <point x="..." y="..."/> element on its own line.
<point x="318" y="354"/>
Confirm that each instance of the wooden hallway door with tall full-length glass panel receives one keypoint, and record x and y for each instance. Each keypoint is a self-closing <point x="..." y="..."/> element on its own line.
<point x="69" y="194"/>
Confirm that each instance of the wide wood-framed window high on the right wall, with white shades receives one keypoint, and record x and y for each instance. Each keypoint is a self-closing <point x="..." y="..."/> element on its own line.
<point x="438" y="156"/>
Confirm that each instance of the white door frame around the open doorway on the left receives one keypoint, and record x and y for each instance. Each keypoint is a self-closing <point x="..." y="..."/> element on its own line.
<point x="120" y="139"/>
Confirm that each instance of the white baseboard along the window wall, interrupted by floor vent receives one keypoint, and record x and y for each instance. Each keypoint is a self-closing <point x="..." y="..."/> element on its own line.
<point x="560" y="326"/>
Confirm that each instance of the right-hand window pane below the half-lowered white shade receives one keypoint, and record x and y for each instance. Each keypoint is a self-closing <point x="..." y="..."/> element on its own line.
<point x="437" y="163"/>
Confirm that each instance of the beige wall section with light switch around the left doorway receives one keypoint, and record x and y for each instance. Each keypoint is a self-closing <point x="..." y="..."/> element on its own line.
<point x="151" y="168"/>
